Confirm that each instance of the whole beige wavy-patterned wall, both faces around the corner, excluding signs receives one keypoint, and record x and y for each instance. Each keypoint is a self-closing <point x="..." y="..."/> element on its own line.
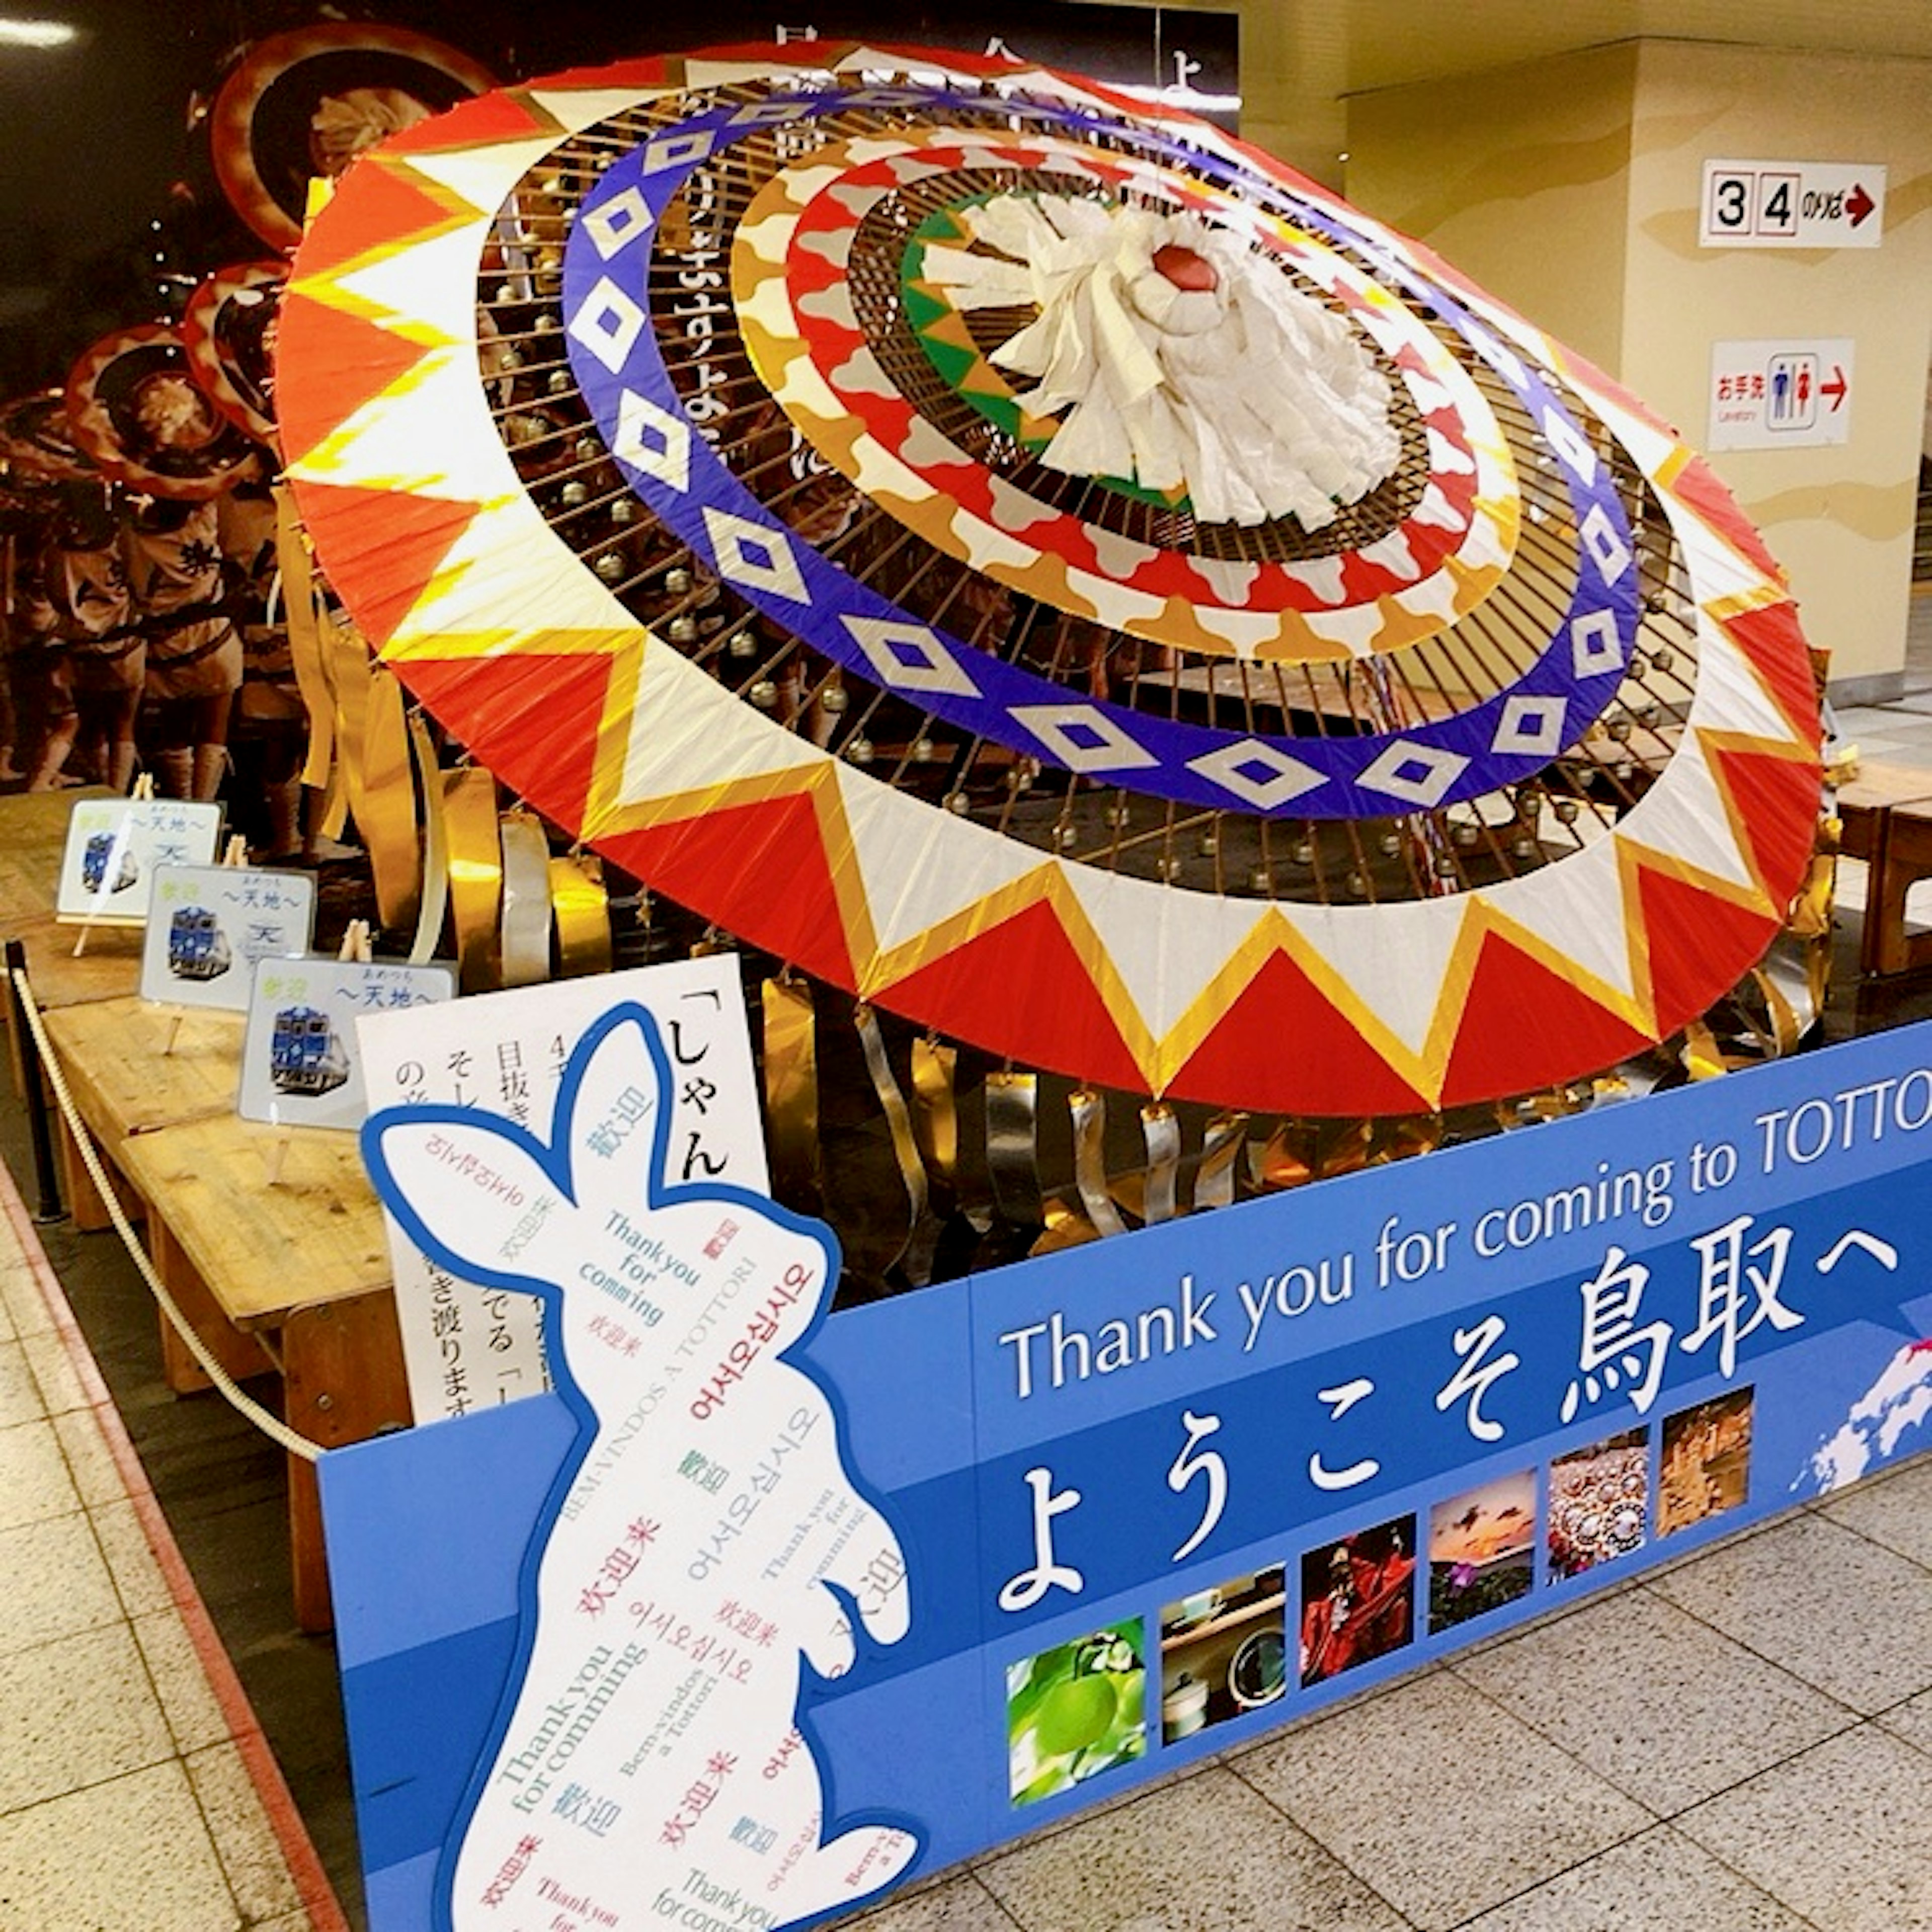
<point x="1572" y="190"/>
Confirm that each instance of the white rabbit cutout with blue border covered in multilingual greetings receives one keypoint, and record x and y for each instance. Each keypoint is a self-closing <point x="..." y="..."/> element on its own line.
<point x="704" y="1547"/>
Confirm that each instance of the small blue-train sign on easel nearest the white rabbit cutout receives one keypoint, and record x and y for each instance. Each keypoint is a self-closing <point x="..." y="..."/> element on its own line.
<point x="300" y="1060"/>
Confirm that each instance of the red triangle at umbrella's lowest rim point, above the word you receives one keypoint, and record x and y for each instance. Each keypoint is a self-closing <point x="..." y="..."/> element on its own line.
<point x="1321" y="1060"/>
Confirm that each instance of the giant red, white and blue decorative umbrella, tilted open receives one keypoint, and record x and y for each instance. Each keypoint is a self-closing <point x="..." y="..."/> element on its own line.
<point x="1056" y="573"/>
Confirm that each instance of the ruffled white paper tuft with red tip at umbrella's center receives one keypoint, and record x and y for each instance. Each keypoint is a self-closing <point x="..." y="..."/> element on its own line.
<point x="1176" y="358"/>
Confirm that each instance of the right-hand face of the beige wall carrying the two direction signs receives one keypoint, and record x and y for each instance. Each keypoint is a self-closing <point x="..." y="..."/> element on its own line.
<point x="1840" y="521"/>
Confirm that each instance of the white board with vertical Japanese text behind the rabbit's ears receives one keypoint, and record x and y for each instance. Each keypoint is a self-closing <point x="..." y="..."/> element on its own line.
<point x="469" y="1348"/>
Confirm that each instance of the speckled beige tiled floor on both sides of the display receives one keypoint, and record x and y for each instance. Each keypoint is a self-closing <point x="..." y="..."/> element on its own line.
<point x="1736" y="1744"/>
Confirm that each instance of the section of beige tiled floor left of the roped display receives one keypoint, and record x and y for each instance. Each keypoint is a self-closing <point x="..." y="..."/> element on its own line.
<point x="136" y="1794"/>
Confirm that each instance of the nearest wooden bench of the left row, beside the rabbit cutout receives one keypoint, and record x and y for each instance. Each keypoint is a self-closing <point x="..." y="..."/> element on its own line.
<point x="273" y="1245"/>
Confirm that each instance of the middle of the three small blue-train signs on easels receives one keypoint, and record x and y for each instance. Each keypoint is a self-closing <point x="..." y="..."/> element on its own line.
<point x="210" y="924"/>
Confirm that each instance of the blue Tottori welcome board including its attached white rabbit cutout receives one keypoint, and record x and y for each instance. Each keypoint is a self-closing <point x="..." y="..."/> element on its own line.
<point x="766" y="1612"/>
